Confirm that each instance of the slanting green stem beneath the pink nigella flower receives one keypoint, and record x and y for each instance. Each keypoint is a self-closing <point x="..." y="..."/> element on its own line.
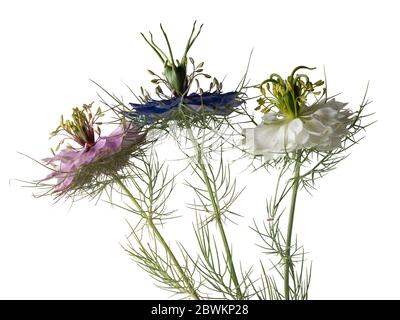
<point x="160" y="238"/>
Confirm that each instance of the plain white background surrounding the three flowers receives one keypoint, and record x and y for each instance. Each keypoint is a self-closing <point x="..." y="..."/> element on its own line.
<point x="49" y="50"/>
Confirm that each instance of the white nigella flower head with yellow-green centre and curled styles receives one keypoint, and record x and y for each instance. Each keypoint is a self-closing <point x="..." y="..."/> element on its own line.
<point x="289" y="124"/>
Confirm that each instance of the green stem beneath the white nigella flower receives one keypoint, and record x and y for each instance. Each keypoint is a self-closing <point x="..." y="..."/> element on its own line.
<point x="288" y="263"/>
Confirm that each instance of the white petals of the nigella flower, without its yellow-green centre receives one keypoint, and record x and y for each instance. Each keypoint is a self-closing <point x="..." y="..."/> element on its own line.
<point x="321" y="126"/>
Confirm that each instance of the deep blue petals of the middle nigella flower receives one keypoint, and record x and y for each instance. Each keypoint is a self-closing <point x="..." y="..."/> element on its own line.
<point x="214" y="103"/>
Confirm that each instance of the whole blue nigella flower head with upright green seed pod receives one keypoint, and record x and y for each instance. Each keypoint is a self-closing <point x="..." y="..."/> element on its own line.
<point x="182" y="105"/>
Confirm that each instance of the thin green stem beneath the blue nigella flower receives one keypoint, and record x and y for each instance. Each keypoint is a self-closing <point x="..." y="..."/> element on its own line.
<point x="217" y="213"/>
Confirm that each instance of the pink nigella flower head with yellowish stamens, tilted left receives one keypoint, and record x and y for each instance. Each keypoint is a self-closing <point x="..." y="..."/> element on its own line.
<point x="97" y="155"/>
